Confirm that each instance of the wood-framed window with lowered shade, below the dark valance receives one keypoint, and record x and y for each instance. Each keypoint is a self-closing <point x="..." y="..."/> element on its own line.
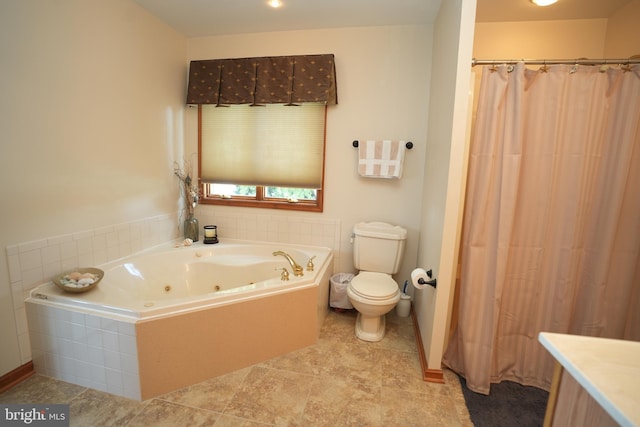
<point x="269" y="156"/>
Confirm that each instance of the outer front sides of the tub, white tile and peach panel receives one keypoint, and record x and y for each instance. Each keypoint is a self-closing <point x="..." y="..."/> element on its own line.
<point x="141" y="358"/>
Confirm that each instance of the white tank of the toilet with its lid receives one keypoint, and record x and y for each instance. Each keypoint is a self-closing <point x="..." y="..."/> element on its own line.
<point x="378" y="246"/>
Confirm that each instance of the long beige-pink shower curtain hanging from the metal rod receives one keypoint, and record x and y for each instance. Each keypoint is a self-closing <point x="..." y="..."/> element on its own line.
<point x="551" y="236"/>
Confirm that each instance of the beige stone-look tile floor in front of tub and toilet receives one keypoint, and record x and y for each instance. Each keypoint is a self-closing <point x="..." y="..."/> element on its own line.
<point x="340" y="381"/>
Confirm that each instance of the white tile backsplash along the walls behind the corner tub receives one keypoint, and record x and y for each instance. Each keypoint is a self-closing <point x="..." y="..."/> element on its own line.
<point x="31" y="263"/>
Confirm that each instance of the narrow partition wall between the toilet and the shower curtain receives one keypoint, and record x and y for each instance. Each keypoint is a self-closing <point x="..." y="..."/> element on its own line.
<point x="445" y="172"/>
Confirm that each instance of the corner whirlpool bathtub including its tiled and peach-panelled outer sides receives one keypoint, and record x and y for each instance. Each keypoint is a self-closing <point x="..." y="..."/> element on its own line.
<point x="176" y="315"/>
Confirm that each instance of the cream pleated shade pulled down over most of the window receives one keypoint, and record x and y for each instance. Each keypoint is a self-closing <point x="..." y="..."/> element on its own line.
<point x="273" y="145"/>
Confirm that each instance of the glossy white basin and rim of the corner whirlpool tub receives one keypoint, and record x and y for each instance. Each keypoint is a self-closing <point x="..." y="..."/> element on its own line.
<point x="170" y="278"/>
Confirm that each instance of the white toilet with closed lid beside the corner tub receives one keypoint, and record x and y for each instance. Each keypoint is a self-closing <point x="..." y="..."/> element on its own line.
<point x="377" y="253"/>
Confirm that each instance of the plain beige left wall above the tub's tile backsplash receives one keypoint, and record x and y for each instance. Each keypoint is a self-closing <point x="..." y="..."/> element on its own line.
<point x="90" y="124"/>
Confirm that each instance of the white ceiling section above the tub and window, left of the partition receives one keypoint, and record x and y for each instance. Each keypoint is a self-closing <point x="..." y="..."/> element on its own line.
<point x="196" y="18"/>
